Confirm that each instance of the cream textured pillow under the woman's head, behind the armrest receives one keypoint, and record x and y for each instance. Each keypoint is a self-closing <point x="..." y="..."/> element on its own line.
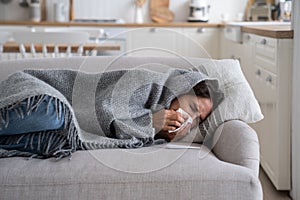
<point x="239" y="102"/>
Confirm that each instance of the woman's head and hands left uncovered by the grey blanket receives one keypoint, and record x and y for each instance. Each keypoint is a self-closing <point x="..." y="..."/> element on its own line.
<point x="197" y="104"/>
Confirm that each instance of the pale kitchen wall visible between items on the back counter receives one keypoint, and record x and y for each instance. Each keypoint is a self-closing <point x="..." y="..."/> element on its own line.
<point x="124" y="9"/>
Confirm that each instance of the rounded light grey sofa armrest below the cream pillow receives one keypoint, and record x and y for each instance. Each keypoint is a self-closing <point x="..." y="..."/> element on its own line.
<point x="236" y="142"/>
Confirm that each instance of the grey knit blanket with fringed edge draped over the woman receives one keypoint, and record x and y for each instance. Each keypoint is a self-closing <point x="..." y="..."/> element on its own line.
<point x="104" y="110"/>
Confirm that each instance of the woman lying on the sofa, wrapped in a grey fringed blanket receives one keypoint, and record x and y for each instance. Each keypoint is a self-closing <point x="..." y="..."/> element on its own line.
<point x="57" y="112"/>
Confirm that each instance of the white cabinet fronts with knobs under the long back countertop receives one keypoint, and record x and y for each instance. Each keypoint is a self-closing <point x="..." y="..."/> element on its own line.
<point x="187" y="42"/>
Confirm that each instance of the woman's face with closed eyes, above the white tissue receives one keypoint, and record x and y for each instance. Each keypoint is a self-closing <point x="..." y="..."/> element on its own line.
<point x="197" y="107"/>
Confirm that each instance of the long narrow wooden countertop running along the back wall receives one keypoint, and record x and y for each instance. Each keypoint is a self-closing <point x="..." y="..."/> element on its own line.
<point x="95" y="24"/>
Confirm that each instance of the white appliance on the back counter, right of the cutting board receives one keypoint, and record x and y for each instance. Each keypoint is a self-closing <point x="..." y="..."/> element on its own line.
<point x="199" y="11"/>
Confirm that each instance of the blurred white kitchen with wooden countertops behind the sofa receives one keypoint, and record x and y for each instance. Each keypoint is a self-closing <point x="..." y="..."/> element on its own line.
<point x="267" y="48"/>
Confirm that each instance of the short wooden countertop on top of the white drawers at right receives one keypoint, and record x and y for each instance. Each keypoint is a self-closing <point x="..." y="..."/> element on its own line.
<point x="273" y="31"/>
